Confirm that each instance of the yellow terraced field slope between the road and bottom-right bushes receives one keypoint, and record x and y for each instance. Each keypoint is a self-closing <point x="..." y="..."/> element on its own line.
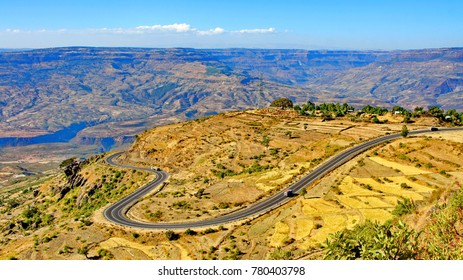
<point x="366" y="191"/>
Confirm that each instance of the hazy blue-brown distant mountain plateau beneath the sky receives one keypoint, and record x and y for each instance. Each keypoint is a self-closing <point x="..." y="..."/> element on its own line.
<point x="45" y="90"/>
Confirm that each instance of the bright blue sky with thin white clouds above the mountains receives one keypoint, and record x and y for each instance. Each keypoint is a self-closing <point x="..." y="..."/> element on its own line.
<point x="308" y="24"/>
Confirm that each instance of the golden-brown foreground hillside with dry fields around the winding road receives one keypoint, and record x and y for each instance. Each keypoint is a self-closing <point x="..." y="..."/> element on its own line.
<point x="228" y="161"/>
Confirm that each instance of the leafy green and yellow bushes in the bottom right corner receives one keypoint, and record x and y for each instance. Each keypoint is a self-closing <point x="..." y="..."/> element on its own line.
<point x="441" y="238"/>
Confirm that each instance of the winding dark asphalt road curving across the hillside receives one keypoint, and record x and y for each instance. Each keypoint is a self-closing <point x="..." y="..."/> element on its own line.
<point x="116" y="213"/>
